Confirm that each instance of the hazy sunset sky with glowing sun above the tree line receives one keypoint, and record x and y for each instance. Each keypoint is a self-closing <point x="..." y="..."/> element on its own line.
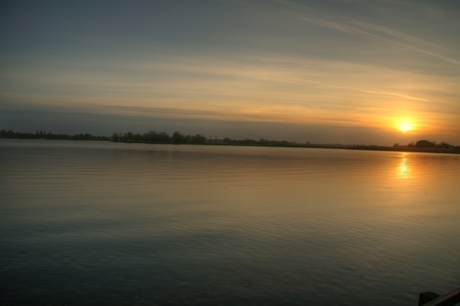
<point x="323" y="71"/>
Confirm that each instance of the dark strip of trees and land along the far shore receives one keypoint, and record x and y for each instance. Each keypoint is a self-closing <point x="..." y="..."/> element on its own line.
<point x="179" y="138"/>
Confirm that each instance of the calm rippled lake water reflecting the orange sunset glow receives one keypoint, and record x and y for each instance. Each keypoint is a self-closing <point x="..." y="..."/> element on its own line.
<point x="100" y="223"/>
